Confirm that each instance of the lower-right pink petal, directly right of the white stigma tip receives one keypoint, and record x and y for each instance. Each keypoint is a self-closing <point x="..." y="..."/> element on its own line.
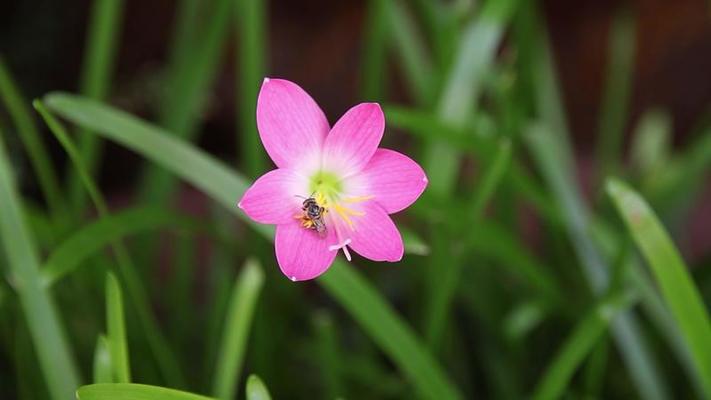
<point x="375" y="236"/>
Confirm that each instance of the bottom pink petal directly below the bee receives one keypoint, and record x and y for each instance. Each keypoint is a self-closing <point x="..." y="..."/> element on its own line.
<point x="301" y="253"/>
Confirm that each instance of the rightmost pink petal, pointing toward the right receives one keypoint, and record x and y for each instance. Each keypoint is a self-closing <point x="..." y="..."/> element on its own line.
<point x="394" y="180"/>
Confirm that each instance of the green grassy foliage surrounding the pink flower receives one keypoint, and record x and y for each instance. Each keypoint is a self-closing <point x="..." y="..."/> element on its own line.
<point x="475" y="310"/>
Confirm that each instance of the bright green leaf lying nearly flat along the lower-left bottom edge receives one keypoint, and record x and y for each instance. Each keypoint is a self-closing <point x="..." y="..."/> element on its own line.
<point x="133" y="391"/>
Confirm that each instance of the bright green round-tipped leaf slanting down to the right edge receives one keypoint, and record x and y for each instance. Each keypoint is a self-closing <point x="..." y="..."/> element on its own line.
<point x="670" y="272"/>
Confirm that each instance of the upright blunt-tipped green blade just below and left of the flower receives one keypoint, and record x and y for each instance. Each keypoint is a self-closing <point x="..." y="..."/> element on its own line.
<point x="236" y="330"/>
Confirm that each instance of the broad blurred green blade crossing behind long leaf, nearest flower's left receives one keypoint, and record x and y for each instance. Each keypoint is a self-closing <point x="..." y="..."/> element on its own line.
<point x="186" y="93"/>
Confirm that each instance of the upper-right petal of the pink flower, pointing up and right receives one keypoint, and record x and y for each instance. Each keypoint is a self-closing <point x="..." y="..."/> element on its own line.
<point x="353" y="140"/>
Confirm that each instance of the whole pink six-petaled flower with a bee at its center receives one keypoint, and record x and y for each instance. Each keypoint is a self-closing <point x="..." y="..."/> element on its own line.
<point x="352" y="184"/>
